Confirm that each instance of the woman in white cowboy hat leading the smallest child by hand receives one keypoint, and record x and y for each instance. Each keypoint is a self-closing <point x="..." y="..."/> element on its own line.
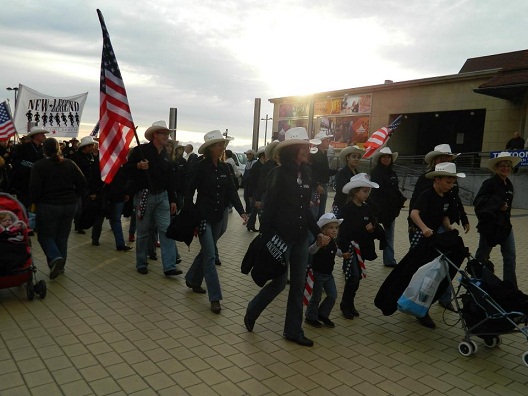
<point x="286" y="213"/>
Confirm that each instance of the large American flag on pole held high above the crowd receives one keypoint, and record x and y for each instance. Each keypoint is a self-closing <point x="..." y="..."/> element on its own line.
<point x="115" y="120"/>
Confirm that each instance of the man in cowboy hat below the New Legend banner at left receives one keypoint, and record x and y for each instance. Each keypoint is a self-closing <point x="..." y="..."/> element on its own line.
<point x="23" y="159"/>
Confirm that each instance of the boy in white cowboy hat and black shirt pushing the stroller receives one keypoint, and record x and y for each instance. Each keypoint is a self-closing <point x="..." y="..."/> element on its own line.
<point x="431" y="211"/>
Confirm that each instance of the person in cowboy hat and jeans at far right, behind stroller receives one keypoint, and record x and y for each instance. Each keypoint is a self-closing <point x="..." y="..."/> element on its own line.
<point x="493" y="204"/>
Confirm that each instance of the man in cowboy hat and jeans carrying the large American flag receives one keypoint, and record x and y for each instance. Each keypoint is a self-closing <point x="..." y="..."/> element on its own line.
<point x="151" y="173"/>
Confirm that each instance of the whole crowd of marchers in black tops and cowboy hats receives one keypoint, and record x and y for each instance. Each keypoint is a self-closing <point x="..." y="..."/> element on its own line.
<point x="286" y="186"/>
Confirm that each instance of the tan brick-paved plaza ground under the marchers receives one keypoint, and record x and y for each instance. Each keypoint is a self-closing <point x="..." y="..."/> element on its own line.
<point x="104" y="329"/>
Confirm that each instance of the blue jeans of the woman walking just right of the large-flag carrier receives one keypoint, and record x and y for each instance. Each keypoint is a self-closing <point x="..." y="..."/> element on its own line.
<point x="203" y="265"/>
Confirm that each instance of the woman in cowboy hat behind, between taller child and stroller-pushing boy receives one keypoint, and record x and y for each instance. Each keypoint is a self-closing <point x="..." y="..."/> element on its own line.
<point x="387" y="200"/>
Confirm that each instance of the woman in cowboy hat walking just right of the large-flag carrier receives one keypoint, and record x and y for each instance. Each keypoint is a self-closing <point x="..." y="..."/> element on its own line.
<point x="211" y="179"/>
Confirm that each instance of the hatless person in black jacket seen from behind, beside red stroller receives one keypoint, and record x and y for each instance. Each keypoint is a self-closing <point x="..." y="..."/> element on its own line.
<point x="55" y="185"/>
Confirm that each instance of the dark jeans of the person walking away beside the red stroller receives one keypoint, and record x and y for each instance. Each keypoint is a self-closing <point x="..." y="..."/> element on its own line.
<point x="54" y="225"/>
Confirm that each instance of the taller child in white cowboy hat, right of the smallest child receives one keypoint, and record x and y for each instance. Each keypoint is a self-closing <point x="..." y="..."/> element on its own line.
<point x="360" y="229"/>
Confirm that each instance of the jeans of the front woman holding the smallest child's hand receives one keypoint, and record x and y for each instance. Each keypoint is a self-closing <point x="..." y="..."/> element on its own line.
<point x="297" y="256"/>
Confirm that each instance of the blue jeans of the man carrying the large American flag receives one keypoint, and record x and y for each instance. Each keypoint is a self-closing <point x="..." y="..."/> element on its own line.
<point x="157" y="212"/>
